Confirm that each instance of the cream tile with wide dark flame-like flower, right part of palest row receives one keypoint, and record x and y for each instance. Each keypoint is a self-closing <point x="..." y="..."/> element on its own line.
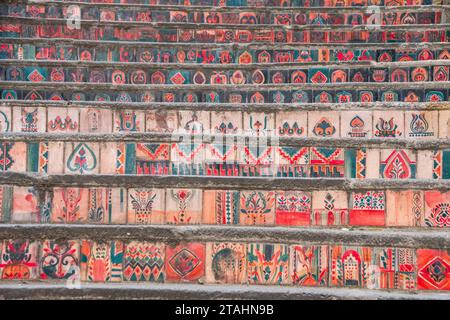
<point x="388" y="124"/>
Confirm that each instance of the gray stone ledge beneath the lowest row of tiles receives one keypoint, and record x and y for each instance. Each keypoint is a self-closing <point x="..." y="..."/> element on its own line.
<point x="138" y="291"/>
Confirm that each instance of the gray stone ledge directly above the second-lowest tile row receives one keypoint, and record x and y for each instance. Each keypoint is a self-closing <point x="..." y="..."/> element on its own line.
<point x="217" y="183"/>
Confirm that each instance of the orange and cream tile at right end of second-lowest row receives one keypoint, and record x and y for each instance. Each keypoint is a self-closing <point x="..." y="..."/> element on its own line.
<point x="437" y="209"/>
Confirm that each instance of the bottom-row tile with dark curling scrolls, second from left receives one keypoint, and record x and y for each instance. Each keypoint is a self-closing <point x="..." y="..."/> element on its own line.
<point x="60" y="260"/>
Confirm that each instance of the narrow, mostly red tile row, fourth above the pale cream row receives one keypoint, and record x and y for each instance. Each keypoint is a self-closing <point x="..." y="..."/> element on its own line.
<point x="204" y="34"/>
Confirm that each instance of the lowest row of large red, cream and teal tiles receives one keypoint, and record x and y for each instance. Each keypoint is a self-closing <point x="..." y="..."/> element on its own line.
<point x="77" y="261"/>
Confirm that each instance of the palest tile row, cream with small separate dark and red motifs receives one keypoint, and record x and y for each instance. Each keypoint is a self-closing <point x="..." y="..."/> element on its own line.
<point x="361" y="124"/>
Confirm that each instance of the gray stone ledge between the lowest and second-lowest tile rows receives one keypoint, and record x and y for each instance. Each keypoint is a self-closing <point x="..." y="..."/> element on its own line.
<point x="415" y="238"/>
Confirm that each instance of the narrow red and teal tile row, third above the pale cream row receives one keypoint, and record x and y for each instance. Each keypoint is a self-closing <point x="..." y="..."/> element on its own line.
<point x="127" y="53"/>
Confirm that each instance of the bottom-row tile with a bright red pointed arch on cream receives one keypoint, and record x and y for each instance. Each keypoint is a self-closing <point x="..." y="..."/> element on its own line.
<point x="350" y="266"/>
